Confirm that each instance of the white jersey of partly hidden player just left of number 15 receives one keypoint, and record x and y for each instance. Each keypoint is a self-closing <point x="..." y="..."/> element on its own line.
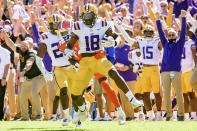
<point x="137" y="62"/>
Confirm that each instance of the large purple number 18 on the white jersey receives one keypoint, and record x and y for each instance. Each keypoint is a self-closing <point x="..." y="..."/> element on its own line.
<point x="94" y="43"/>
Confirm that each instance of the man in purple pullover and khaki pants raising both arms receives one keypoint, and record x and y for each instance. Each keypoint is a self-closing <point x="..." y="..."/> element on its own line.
<point x="171" y="65"/>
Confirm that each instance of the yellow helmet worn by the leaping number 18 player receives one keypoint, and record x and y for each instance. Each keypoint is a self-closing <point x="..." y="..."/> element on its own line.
<point x="89" y="14"/>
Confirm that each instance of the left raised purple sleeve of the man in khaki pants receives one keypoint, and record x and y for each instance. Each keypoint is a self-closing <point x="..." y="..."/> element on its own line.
<point x="161" y="33"/>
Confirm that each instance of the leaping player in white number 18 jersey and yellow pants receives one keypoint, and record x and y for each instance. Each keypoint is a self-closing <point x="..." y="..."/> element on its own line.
<point x="89" y="33"/>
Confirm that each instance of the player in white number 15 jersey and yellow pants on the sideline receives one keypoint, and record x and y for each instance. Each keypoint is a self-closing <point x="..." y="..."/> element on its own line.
<point x="150" y="51"/>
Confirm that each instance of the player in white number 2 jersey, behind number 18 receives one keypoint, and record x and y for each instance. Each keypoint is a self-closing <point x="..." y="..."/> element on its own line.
<point x="63" y="70"/>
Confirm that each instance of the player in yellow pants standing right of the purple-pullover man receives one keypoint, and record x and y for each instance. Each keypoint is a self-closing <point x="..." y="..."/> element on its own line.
<point x="187" y="66"/>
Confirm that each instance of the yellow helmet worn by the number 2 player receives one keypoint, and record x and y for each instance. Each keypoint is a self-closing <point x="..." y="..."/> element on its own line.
<point x="54" y="21"/>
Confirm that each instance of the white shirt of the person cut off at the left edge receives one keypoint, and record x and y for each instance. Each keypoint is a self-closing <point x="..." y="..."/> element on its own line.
<point x="4" y="60"/>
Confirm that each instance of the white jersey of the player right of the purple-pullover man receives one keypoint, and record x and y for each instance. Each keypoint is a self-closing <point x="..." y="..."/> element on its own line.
<point x="187" y="62"/>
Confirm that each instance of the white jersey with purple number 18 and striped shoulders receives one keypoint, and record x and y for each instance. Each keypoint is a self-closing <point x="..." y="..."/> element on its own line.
<point x="89" y="38"/>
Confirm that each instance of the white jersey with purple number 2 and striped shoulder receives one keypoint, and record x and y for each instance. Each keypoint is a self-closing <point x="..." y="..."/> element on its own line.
<point x="51" y="41"/>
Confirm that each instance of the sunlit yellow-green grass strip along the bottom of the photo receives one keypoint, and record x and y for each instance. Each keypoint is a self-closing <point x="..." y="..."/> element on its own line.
<point x="100" y="126"/>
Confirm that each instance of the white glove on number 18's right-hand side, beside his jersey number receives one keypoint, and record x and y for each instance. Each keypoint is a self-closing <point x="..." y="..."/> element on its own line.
<point x="107" y="41"/>
